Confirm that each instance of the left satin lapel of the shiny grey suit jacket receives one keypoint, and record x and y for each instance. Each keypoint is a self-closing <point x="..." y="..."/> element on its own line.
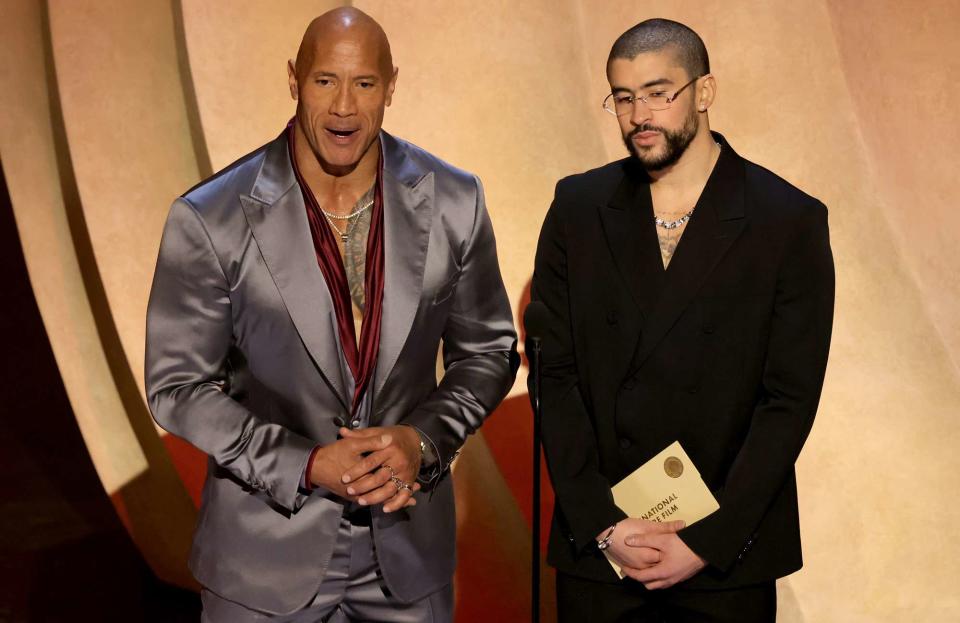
<point x="277" y="217"/>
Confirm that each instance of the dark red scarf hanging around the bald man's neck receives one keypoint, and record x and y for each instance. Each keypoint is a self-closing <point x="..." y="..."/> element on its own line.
<point x="362" y="361"/>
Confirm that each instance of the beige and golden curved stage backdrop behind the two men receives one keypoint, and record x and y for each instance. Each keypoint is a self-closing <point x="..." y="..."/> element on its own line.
<point x="111" y="108"/>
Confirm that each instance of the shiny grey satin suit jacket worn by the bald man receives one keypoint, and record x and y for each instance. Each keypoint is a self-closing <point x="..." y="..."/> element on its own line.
<point x="244" y="362"/>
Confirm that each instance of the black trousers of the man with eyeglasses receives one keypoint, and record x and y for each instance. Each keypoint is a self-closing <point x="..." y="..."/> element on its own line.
<point x="586" y="601"/>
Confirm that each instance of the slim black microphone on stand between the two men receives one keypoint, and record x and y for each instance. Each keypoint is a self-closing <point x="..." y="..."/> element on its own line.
<point x="536" y="320"/>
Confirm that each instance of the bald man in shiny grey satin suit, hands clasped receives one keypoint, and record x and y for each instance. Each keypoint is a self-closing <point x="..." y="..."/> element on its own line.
<point x="298" y="304"/>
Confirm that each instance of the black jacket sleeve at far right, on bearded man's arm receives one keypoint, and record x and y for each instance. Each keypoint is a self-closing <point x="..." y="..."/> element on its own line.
<point x="796" y="360"/>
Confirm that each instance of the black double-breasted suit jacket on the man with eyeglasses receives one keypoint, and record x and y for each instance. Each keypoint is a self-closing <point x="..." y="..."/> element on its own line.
<point x="725" y="352"/>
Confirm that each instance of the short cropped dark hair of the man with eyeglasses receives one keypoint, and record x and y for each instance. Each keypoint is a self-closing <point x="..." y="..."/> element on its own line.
<point x="653" y="35"/>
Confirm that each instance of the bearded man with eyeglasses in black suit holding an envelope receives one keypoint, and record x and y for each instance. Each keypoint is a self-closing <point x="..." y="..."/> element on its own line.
<point x="691" y="294"/>
